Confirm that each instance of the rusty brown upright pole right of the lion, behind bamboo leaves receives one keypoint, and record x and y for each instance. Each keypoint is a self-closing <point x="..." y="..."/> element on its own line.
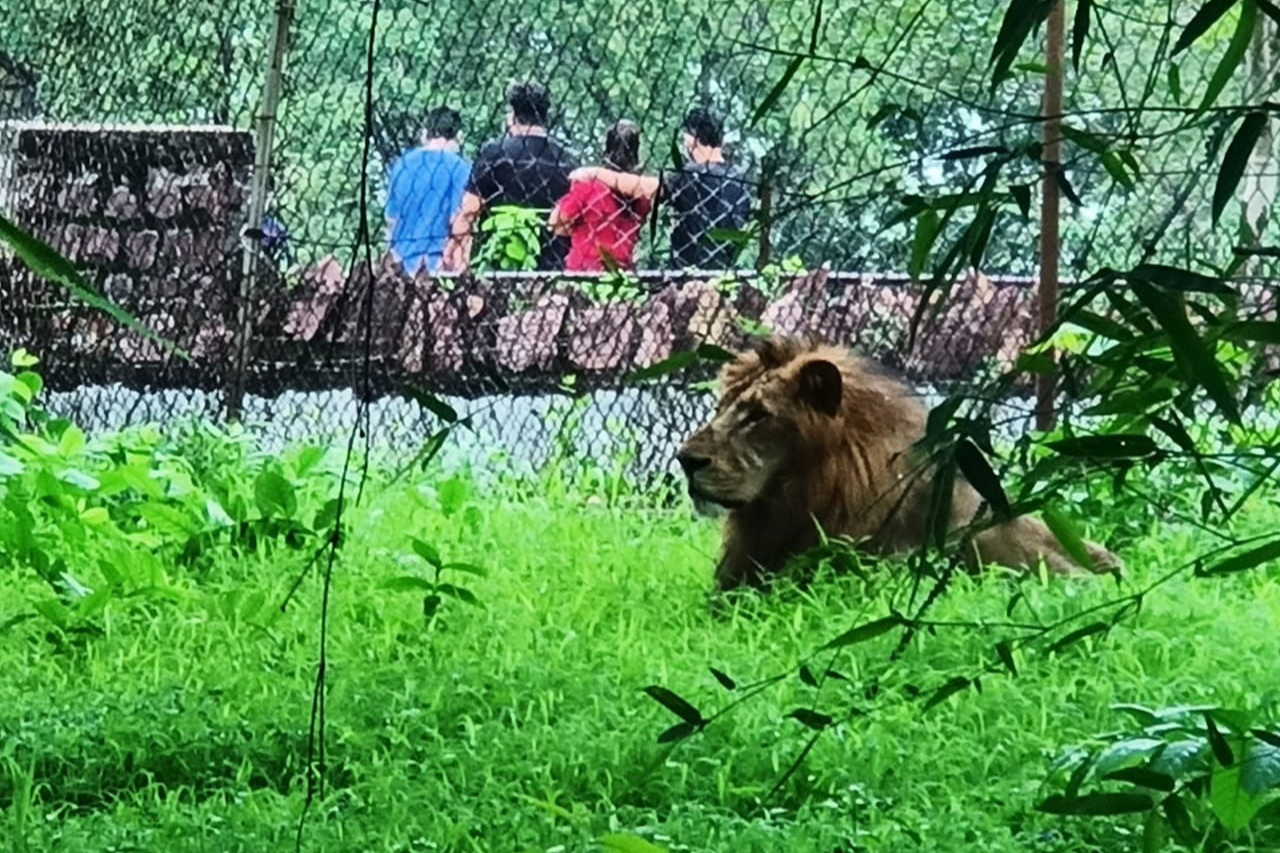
<point x="1055" y="37"/>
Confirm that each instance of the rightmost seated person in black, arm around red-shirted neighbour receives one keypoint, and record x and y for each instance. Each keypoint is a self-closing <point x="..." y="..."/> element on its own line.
<point x="706" y="195"/>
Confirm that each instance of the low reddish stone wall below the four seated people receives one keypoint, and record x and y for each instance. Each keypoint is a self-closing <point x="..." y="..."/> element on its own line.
<point x="479" y="336"/>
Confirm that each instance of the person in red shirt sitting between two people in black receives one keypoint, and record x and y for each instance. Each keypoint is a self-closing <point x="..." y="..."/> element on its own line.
<point x="598" y="221"/>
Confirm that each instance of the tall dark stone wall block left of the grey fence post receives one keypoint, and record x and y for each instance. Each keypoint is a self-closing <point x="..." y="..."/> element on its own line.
<point x="153" y="217"/>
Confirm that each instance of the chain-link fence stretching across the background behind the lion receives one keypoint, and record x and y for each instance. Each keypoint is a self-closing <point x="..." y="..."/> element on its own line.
<point x="135" y="144"/>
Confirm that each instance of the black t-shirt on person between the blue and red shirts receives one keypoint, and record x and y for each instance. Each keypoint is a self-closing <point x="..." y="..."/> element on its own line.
<point x="531" y="172"/>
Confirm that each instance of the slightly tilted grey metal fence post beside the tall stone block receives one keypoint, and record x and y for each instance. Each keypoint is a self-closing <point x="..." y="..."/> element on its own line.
<point x="264" y="140"/>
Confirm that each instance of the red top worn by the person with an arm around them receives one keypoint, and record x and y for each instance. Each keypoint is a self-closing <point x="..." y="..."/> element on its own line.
<point x="598" y="220"/>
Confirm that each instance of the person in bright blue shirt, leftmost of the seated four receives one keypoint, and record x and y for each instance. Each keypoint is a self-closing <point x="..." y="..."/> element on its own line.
<point x="426" y="190"/>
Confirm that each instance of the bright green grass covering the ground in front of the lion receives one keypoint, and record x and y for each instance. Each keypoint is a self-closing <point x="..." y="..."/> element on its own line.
<point x="523" y="726"/>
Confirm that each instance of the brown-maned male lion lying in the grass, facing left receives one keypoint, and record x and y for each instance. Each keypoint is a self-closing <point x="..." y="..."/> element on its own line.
<point x="808" y="437"/>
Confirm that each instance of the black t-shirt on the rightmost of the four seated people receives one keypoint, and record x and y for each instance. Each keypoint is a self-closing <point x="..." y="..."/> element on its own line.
<point x="706" y="197"/>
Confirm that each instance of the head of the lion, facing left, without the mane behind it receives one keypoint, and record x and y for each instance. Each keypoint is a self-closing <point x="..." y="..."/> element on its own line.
<point x="772" y="403"/>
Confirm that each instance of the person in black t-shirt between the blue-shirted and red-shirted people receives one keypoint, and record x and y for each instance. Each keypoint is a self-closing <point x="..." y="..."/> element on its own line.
<point x="525" y="168"/>
